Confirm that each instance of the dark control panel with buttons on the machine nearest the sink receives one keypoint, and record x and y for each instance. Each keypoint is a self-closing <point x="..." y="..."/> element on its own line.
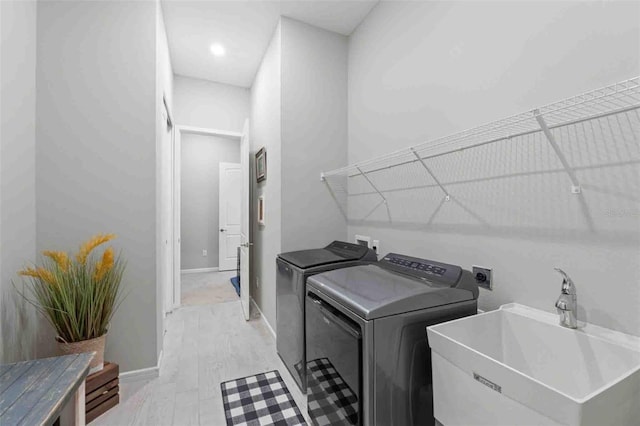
<point x="422" y="268"/>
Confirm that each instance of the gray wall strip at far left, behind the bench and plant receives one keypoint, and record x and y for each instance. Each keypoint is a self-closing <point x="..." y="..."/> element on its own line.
<point x="19" y="325"/>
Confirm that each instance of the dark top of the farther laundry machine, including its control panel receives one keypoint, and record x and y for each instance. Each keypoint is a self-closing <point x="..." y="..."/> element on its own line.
<point x="336" y="252"/>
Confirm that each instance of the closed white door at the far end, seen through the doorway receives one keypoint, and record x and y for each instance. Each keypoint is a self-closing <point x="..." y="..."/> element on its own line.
<point x="229" y="206"/>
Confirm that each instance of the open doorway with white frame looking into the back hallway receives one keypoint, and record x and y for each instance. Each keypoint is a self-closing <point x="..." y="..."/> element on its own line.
<point x="211" y="194"/>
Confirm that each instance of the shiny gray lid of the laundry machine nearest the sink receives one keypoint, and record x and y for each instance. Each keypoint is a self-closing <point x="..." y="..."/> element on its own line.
<point x="374" y="292"/>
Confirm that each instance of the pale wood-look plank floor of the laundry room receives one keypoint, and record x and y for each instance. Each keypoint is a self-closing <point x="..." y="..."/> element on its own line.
<point x="204" y="346"/>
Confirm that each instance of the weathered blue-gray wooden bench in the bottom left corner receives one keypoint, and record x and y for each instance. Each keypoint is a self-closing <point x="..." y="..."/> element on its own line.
<point x="35" y="392"/>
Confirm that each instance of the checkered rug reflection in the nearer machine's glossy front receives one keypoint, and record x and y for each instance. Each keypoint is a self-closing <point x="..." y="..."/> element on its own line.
<point x="330" y="400"/>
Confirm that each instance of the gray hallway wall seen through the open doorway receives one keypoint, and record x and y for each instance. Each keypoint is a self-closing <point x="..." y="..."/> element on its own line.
<point x="200" y="192"/>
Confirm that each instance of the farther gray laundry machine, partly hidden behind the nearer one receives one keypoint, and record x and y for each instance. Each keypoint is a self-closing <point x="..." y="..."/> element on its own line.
<point x="292" y="271"/>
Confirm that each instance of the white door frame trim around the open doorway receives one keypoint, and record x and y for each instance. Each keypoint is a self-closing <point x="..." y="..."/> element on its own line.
<point x="177" y="202"/>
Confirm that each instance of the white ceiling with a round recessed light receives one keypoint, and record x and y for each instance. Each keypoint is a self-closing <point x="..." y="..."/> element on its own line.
<point x="245" y="29"/>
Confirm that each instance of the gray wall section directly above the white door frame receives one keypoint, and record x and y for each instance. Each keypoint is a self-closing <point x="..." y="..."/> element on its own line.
<point x="202" y="103"/>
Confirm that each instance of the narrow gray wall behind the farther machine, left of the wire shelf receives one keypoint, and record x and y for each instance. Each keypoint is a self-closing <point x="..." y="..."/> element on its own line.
<point x="314" y="133"/>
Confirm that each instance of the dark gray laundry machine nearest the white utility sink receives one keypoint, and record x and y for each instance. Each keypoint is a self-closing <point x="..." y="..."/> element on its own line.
<point x="368" y="359"/>
